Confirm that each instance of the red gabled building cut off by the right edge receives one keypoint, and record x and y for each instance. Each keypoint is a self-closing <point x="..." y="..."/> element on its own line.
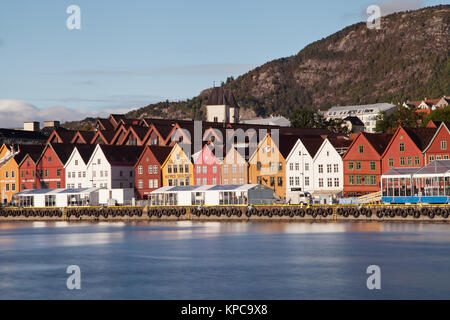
<point x="438" y="148"/>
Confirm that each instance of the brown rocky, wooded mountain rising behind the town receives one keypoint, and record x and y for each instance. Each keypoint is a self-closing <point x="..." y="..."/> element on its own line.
<point x="408" y="58"/>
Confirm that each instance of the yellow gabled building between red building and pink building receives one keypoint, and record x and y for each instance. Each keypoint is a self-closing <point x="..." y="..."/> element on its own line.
<point x="178" y="169"/>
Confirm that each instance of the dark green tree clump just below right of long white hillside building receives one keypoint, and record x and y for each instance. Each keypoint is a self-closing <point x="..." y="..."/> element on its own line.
<point x="388" y="123"/>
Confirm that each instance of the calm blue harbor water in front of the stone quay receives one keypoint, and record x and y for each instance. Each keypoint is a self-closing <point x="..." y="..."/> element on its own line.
<point x="226" y="260"/>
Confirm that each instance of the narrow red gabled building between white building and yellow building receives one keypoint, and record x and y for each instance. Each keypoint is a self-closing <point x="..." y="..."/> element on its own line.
<point x="148" y="169"/>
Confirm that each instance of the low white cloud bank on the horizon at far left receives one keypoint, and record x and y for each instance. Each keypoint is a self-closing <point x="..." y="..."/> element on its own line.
<point x="14" y="112"/>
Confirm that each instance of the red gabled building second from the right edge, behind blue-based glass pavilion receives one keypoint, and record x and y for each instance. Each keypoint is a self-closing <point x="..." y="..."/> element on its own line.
<point x="406" y="148"/>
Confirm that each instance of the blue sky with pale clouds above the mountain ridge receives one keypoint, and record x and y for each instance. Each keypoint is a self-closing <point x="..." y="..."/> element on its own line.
<point x="131" y="53"/>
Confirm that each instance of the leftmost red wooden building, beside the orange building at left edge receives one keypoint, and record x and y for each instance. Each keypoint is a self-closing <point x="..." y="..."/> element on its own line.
<point x="28" y="177"/>
